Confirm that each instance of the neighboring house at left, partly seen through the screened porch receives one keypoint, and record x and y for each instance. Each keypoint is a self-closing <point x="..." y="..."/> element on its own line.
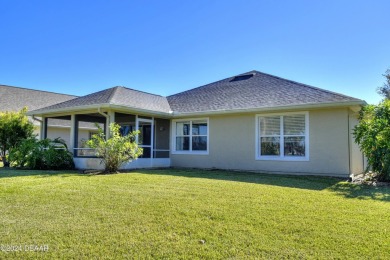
<point x="16" y="98"/>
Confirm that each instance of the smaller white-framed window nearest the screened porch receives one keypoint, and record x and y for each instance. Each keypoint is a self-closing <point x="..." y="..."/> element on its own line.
<point x="190" y="136"/>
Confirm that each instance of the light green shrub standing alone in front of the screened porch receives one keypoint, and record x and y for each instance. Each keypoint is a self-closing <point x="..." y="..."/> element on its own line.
<point x="115" y="150"/>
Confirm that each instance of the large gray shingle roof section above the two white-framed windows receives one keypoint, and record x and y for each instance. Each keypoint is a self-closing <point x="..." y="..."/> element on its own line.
<point x="251" y="90"/>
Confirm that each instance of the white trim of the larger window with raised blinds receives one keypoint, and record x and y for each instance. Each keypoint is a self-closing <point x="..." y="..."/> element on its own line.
<point x="281" y="157"/>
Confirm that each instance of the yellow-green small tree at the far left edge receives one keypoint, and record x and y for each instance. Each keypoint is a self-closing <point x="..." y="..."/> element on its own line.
<point x="14" y="128"/>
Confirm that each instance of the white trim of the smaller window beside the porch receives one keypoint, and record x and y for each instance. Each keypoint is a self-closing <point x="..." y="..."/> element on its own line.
<point x="173" y="136"/>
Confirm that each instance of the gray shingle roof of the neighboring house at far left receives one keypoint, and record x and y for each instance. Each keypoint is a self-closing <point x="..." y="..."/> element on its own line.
<point x="15" y="98"/>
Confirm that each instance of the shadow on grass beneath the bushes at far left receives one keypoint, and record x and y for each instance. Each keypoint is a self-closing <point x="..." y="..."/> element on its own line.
<point x="12" y="173"/>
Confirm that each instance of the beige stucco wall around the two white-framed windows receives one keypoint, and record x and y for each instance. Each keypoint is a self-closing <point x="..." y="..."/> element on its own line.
<point x="232" y="145"/>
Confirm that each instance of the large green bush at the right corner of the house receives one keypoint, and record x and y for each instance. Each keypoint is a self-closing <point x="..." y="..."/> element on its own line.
<point x="373" y="135"/>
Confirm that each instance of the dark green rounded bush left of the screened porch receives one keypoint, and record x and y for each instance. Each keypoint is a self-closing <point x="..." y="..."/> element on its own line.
<point x="42" y="154"/>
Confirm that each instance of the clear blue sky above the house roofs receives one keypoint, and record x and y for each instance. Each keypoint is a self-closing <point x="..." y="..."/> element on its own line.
<point x="165" y="47"/>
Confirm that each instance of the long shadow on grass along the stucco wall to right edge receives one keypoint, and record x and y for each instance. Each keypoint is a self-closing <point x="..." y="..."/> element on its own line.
<point x="337" y="185"/>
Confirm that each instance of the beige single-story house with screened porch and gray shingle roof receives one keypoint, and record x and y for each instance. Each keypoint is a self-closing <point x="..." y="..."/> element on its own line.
<point x="253" y="121"/>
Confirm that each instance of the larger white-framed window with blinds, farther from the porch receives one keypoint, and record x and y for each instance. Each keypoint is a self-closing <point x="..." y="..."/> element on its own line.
<point x="282" y="137"/>
